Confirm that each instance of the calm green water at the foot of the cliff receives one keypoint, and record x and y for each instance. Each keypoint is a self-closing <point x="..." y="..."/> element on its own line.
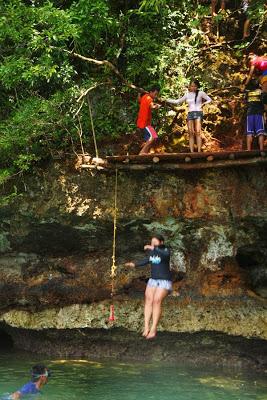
<point x="84" y="379"/>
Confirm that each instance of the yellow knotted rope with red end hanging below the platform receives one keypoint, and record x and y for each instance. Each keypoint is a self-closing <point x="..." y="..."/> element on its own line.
<point x="113" y="271"/>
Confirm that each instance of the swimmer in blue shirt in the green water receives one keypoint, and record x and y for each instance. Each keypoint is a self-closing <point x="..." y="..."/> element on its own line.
<point x="39" y="378"/>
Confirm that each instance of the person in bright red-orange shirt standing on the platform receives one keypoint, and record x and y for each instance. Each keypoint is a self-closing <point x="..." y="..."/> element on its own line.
<point x="144" y="118"/>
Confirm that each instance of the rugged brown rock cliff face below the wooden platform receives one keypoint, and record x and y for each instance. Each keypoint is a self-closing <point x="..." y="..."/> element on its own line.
<point x="56" y="243"/>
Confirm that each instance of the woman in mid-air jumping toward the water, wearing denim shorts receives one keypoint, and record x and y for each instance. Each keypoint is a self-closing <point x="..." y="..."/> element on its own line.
<point x="158" y="286"/>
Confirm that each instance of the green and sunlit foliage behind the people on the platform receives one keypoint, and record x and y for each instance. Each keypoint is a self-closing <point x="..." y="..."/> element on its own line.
<point x="43" y="79"/>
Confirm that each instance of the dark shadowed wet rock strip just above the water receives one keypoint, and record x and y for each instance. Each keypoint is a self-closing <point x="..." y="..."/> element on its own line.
<point x="199" y="349"/>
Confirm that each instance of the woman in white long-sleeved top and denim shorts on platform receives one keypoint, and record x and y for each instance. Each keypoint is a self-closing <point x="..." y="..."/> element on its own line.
<point x="195" y="99"/>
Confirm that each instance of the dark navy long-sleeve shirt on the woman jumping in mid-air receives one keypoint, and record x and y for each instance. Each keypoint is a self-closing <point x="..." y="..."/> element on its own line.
<point x="159" y="259"/>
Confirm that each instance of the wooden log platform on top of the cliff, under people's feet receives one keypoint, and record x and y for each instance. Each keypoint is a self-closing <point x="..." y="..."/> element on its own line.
<point x="187" y="161"/>
